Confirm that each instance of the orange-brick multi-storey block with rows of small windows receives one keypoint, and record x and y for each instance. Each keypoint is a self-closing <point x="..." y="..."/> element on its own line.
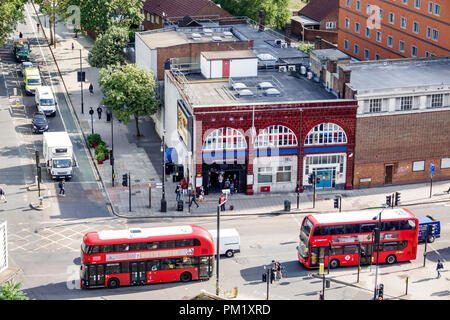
<point x="402" y="29"/>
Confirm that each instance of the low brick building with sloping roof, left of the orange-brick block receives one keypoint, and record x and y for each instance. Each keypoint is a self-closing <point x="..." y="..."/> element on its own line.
<point x="317" y="18"/>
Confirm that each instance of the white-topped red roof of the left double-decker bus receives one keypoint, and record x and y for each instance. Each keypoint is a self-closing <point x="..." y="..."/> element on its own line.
<point x="134" y="235"/>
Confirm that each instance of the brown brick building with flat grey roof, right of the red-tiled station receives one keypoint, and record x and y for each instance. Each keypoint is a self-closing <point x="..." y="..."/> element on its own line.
<point x="403" y="118"/>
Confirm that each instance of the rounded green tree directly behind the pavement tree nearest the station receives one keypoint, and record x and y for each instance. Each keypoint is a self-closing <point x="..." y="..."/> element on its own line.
<point x="108" y="48"/>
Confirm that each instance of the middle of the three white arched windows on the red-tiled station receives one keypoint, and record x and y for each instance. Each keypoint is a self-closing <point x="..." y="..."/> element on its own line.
<point x="276" y="136"/>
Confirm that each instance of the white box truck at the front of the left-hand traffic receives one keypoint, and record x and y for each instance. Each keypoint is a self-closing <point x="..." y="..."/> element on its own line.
<point x="58" y="154"/>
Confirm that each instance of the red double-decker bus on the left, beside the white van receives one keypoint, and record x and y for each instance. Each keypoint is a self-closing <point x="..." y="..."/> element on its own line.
<point x="116" y="258"/>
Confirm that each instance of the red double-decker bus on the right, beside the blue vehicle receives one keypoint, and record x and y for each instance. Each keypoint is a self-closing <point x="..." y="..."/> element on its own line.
<point x="347" y="238"/>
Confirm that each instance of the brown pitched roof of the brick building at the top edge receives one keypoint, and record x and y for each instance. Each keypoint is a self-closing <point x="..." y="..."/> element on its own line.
<point x="180" y="8"/>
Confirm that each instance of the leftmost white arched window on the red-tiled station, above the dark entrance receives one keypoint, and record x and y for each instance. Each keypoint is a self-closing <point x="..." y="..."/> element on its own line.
<point x="225" y="139"/>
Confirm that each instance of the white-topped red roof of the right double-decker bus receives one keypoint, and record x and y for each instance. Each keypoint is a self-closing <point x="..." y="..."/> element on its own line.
<point x="360" y="216"/>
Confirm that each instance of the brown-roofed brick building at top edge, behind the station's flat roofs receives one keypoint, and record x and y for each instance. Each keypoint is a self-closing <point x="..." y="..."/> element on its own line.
<point x="156" y="12"/>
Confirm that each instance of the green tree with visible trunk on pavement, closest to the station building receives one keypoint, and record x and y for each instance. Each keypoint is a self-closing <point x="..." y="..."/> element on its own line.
<point x="130" y="91"/>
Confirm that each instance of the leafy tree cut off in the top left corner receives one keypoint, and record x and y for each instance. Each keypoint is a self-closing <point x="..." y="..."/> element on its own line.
<point x="11" y="12"/>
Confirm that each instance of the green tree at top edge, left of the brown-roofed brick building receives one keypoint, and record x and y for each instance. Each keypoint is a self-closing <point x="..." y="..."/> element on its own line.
<point x="99" y="15"/>
